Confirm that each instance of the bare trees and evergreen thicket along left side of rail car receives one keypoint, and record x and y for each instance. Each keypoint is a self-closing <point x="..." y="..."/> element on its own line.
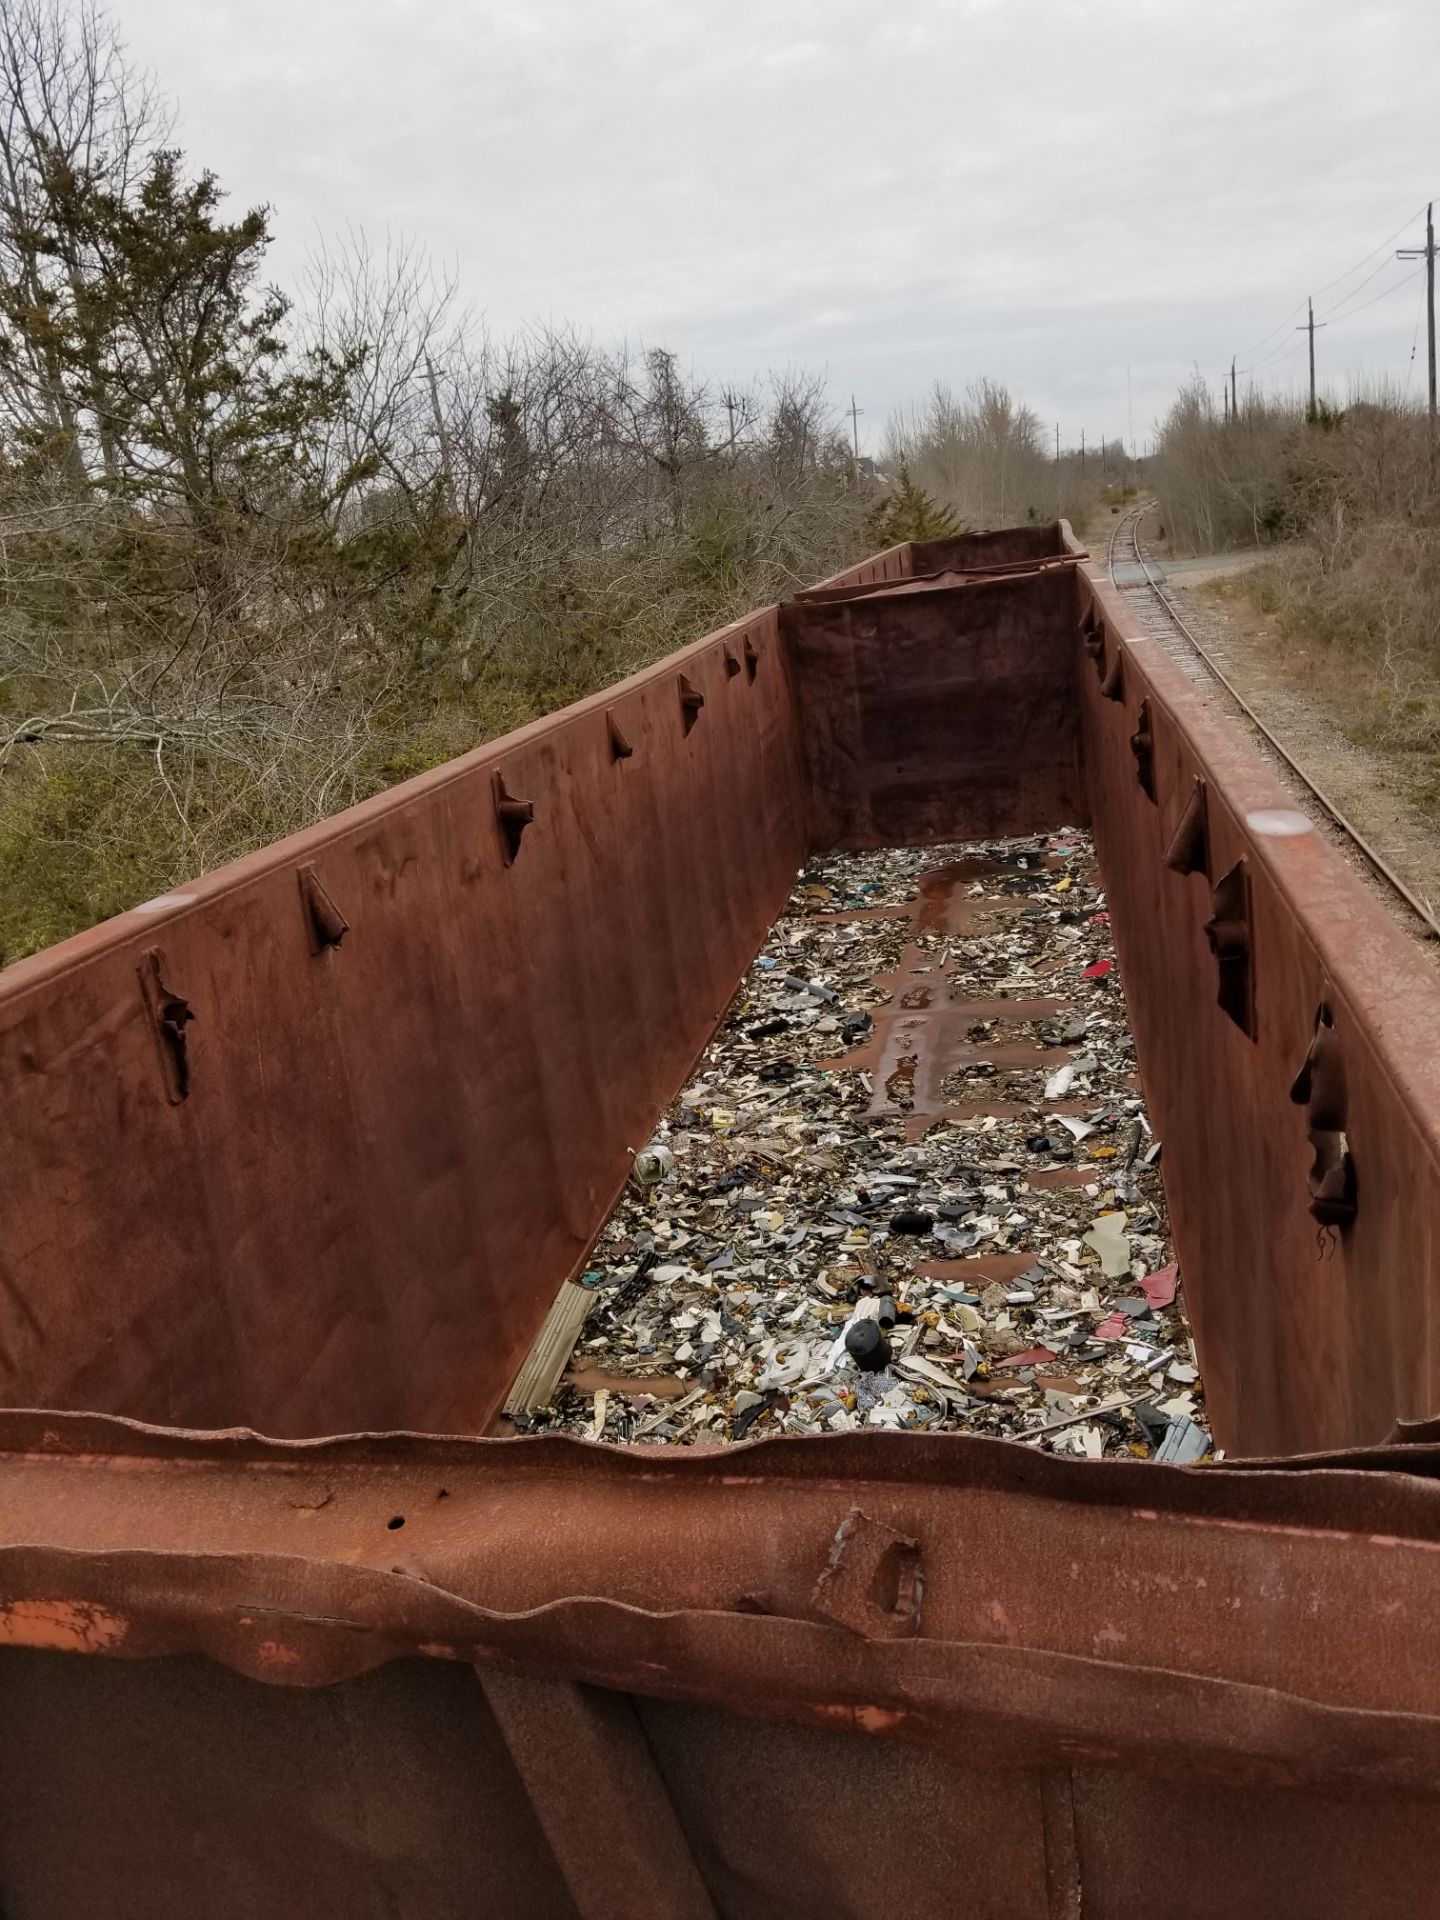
<point x="256" y="562"/>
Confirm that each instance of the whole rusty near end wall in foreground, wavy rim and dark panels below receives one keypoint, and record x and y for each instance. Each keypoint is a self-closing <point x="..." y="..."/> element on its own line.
<point x="1122" y="1685"/>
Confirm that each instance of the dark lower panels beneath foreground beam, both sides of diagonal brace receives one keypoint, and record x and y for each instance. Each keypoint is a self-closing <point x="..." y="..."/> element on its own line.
<point x="208" y="1794"/>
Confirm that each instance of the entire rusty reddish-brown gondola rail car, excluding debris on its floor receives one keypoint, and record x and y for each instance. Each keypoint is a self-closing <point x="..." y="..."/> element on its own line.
<point x="310" y="1145"/>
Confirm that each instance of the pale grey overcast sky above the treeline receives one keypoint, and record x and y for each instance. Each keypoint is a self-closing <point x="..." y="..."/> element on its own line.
<point x="1044" y="191"/>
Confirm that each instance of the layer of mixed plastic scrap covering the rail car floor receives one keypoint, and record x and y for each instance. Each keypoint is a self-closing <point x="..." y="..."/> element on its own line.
<point x="807" y="1247"/>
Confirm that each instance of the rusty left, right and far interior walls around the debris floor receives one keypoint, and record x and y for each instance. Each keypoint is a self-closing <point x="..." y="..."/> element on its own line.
<point x="312" y="1143"/>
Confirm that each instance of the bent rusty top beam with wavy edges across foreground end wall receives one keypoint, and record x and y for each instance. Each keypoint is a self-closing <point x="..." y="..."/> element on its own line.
<point x="673" y="1572"/>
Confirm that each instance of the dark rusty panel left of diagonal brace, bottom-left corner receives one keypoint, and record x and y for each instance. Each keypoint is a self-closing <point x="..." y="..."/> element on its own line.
<point x="176" y="1790"/>
